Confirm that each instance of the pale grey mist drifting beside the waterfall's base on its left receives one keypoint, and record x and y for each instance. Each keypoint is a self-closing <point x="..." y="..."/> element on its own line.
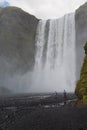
<point x="12" y="79"/>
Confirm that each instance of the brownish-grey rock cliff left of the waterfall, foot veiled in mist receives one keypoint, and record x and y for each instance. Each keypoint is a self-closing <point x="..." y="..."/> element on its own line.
<point x="17" y="48"/>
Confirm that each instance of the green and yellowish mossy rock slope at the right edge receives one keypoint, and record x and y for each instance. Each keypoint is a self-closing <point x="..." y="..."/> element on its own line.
<point x="81" y="87"/>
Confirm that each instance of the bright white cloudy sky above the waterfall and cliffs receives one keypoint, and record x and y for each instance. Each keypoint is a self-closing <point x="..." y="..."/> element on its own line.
<point x="45" y="9"/>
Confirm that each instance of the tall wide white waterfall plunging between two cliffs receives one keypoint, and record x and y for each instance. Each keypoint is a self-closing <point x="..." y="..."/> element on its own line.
<point x="55" y="55"/>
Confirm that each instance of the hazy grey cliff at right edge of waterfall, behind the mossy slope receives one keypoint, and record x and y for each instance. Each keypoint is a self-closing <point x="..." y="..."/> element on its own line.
<point x="81" y="35"/>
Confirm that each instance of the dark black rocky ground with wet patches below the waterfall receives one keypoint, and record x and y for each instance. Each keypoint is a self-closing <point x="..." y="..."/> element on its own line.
<point x="27" y="113"/>
